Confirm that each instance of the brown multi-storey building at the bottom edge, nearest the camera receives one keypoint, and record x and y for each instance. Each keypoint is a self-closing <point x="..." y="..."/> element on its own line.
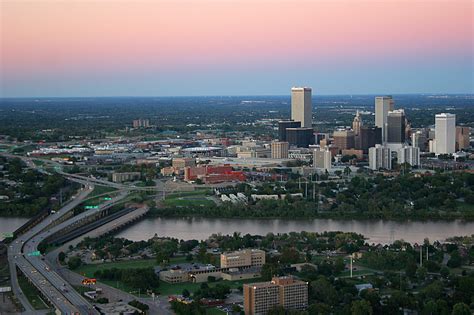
<point x="287" y="292"/>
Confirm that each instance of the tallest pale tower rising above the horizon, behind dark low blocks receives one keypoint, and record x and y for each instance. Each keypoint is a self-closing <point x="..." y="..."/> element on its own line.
<point x="301" y="107"/>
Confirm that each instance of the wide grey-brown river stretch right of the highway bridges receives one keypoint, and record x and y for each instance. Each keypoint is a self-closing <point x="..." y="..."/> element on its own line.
<point x="378" y="231"/>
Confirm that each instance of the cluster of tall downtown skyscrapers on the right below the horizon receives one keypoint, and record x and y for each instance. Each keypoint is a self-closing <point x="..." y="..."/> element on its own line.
<point x="389" y="140"/>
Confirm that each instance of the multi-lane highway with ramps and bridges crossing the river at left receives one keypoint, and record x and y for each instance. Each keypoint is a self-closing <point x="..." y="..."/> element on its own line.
<point x="22" y="251"/>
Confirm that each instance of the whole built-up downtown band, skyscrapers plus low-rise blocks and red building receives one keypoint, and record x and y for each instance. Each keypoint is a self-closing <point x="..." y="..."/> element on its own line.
<point x="207" y="156"/>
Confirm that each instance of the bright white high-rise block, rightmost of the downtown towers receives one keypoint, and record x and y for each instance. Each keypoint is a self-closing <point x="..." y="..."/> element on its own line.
<point x="445" y="133"/>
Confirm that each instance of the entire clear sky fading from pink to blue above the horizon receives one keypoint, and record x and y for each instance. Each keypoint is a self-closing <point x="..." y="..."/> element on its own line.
<point x="235" y="47"/>
